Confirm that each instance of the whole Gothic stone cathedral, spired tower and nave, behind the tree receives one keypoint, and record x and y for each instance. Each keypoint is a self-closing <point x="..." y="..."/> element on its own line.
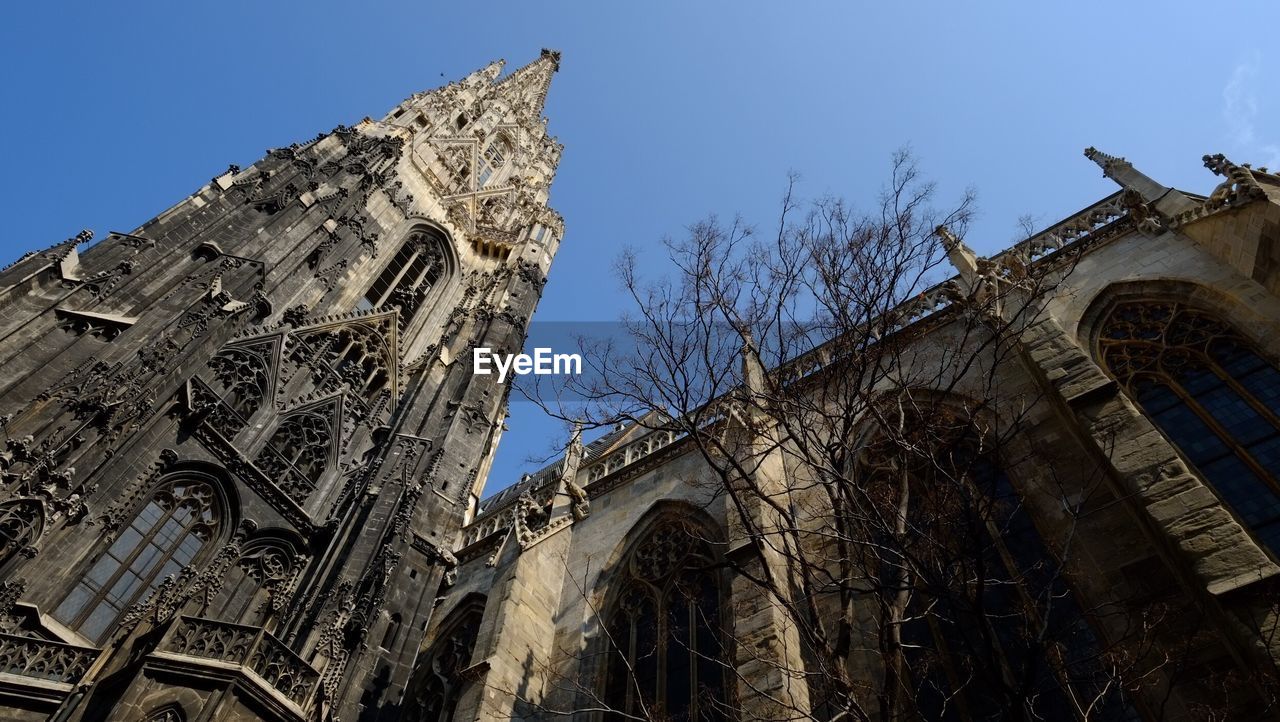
<point x="245" y="454"/>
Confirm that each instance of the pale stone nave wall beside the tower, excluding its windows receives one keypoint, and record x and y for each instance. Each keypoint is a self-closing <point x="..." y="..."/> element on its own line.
<point x="1150" y="532"/>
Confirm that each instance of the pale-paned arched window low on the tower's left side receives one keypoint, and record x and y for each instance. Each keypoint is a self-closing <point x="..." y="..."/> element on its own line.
<point x="167" y="536"/>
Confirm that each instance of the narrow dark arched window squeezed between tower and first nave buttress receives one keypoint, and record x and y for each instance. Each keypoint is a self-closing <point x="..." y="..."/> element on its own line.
<point x="438" y="677"/>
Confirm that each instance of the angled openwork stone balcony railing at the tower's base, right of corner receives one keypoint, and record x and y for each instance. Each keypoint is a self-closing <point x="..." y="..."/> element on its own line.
<point x="253" y="648"/>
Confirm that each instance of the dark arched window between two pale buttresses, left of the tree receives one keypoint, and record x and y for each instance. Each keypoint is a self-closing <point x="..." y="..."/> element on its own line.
<point x="666" y="645"/>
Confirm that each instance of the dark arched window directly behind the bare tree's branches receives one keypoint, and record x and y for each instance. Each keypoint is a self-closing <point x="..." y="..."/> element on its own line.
<point x="986" y="597"/>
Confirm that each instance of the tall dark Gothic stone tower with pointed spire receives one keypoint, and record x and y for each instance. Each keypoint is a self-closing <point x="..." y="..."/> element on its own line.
<point x="240" y="441"/>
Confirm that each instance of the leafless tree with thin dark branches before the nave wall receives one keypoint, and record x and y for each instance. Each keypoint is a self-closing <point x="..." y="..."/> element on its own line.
<point x="862" y="417"/>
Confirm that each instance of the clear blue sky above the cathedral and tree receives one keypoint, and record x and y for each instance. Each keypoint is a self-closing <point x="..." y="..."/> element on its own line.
<point x="669" y="112"/>
